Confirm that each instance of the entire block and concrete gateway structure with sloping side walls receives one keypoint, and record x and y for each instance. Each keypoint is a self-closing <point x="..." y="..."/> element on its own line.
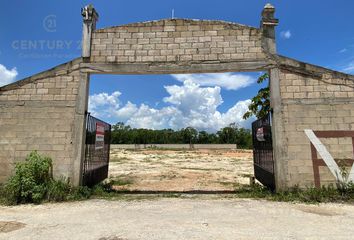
<point x="47" y="111"/>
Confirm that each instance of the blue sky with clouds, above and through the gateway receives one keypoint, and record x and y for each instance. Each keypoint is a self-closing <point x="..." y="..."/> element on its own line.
<point x="318" y="32"/>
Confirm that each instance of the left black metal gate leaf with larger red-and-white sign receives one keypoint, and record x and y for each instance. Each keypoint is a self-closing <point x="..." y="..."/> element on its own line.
<point x="97" y="147"/>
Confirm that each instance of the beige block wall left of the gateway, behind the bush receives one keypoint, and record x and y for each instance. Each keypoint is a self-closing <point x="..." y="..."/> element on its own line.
<point x="38" y="113"/>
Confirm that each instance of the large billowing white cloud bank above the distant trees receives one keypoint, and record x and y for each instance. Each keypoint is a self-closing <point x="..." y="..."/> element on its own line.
<point x="189" y="105"/>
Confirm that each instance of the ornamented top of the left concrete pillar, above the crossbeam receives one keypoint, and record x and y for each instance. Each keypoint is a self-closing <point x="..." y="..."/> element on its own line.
<point x="90" y="17"/>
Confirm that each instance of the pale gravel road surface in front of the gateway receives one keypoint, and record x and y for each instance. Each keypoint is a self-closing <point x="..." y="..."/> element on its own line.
<point x="203" y="217"/>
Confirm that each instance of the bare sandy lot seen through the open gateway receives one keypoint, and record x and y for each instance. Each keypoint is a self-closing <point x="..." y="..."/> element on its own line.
<point x="171" y="170"/>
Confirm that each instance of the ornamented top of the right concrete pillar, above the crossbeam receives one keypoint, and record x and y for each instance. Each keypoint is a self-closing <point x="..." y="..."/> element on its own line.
<point x="268" y="24"/>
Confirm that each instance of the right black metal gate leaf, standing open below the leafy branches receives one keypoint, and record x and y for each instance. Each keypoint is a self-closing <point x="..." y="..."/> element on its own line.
<point x="263" y="152"/>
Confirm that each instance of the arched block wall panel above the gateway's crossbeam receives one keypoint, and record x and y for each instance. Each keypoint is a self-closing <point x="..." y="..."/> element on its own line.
<point x="176" y="40"/>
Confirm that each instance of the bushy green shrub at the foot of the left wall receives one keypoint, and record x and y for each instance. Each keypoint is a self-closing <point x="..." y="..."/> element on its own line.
<point x="33" y="183"/>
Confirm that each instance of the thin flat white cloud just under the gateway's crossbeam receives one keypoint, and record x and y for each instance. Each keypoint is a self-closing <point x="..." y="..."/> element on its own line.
<point x="228" y="81"/>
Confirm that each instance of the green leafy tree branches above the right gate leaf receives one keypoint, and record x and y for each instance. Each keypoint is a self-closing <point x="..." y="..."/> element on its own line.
<point x="260" y="104"/>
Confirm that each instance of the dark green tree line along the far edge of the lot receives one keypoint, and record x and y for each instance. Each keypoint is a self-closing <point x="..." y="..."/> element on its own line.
<point x="124" y="134"/>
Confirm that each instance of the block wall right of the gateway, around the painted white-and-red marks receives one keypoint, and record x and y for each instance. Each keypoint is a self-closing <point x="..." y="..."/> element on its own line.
<point x="323" y="101"/>
